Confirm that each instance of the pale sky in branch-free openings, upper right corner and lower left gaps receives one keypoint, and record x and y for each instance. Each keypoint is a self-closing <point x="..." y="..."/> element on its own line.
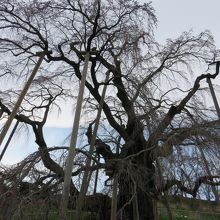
<point x="174" y="17"/>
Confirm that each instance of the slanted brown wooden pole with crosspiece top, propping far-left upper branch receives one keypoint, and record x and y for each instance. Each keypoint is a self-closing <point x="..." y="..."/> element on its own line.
<point x="21" y="97"/>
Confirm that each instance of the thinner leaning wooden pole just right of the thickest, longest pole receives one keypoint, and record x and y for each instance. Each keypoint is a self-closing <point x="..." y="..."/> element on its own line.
<point x="86" y="176"/>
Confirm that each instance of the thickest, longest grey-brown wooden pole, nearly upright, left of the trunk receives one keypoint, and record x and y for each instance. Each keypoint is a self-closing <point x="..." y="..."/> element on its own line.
<point x="72" y="148"/>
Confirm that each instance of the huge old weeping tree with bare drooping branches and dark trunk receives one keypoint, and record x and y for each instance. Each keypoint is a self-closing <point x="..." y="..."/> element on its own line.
<point x="153" y="115"/>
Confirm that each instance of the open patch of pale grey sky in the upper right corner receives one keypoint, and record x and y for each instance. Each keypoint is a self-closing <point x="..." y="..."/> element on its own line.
<point x="176" y="16"/>
